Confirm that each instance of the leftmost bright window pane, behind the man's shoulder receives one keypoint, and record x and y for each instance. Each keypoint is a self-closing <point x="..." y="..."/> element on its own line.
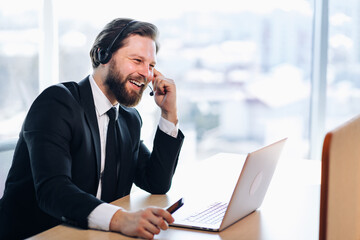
<point x="19" y="44"/>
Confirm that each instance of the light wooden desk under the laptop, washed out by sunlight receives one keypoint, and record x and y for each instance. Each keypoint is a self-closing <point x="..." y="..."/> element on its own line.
<point x="290" y="209"/>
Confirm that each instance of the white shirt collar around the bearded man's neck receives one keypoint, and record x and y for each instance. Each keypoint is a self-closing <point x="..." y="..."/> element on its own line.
<point x="102" y="103"/>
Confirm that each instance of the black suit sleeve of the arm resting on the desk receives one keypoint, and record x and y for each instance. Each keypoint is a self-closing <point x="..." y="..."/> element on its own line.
<point x="48" y="130"/>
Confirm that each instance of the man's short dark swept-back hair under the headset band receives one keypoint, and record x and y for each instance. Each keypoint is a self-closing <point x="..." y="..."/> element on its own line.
<point x="111" y="30"/>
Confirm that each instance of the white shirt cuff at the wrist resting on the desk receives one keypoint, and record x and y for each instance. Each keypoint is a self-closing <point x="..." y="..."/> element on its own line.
<point x="101" y="216"/>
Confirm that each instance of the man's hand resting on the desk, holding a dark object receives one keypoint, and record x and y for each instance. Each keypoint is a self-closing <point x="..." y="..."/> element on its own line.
<point x="144" y="223"/>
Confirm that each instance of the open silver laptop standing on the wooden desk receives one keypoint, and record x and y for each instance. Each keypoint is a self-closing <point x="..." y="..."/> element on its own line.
<point x="247" y="196"/>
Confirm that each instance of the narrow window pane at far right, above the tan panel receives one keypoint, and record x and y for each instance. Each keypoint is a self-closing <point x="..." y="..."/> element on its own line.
<point x="343" y="85"/>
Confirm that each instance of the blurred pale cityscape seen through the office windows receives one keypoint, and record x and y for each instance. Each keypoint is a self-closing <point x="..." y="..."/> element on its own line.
<point x="244" y="78"/>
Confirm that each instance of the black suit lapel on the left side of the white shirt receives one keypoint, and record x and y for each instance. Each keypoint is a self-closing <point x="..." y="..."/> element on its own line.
<point x="87" y="101"/>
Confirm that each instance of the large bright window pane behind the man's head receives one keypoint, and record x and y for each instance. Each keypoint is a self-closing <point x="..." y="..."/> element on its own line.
<point x="242" y="71"/>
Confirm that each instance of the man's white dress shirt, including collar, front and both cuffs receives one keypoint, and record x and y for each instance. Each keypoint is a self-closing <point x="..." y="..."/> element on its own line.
<point x="101" y="216"/>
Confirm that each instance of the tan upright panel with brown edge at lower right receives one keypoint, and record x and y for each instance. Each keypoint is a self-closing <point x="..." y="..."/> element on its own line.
<point x="340" y="183"/>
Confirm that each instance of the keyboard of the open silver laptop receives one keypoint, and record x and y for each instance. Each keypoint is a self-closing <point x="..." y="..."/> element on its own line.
<point x="211" y="215"/>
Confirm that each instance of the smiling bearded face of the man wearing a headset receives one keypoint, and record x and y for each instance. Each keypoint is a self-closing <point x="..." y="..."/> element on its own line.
<point x="130" y="69"/>
